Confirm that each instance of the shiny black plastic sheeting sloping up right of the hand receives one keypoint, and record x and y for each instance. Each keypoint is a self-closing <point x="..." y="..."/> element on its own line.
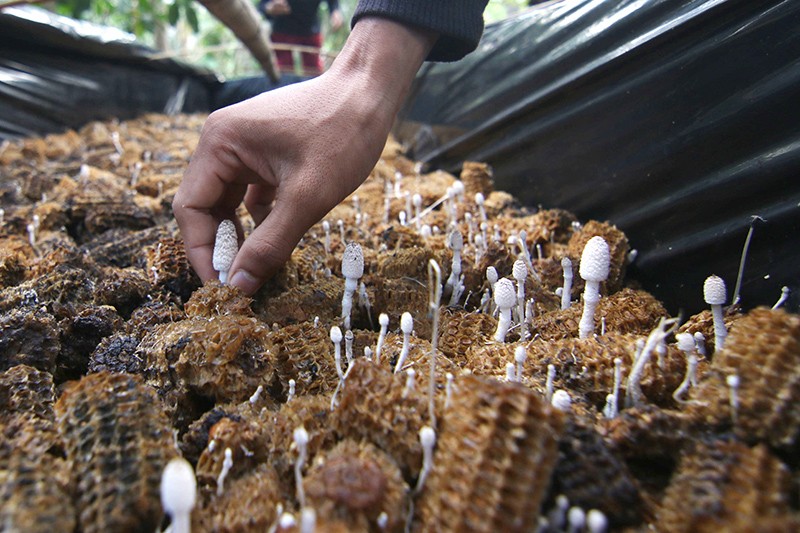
<point x="676" y="121"/>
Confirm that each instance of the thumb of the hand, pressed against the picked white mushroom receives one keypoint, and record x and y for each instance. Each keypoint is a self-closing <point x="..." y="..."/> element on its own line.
<point x="266" y="250"/>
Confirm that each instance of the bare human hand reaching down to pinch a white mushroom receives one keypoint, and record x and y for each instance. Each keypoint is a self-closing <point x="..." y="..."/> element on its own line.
<point x="294" y="153"/>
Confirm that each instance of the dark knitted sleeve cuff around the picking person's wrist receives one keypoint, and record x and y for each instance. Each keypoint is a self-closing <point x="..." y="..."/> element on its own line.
<point x="458" y="22"/>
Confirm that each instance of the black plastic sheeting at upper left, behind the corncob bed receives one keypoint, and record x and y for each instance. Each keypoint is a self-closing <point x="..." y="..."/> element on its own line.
<point x="57" y="73"/>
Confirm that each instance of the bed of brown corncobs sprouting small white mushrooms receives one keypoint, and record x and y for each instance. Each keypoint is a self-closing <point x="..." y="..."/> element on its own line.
<point x="114" y="360"/>
